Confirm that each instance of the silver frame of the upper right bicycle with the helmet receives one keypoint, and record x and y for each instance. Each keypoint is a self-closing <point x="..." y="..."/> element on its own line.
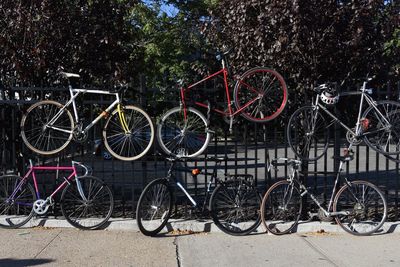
<point x="364" y="96"/>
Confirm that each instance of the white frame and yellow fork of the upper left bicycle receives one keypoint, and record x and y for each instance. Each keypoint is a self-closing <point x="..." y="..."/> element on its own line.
<point x="74" y="93"/>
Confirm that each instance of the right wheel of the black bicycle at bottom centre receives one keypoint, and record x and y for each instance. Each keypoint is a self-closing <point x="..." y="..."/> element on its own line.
<point x="234" y="207"/>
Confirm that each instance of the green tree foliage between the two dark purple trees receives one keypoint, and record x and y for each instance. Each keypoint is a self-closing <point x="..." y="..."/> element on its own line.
<point x="171" y="43"/>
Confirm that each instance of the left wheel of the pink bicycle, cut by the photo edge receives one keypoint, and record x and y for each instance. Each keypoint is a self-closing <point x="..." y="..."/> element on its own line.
<point x="17" y="210"/>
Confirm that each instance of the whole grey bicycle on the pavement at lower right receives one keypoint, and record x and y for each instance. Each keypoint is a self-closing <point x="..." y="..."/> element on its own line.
<point x="359" y="207"/>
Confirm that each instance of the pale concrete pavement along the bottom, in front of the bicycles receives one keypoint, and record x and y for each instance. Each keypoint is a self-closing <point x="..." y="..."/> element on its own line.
<point x="71" y="247"/>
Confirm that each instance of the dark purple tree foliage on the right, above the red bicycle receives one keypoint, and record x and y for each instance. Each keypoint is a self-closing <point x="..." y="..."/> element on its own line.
<point x="310" y="40"/>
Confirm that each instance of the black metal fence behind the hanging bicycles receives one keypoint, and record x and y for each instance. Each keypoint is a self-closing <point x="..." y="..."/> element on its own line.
<point x="248" y="149"/>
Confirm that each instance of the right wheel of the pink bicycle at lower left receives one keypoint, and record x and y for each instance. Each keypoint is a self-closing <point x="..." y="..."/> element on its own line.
<point x="90" y="213"/>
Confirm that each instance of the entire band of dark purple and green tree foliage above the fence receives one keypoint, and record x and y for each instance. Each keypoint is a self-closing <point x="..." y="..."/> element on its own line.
<point x="308" y="41"/>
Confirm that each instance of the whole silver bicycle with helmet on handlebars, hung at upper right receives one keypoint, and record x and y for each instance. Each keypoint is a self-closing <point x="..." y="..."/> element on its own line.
<point x="378" y="126"/>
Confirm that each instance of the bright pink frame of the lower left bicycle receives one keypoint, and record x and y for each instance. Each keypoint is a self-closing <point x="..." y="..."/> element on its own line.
<point x="67" y="180"/>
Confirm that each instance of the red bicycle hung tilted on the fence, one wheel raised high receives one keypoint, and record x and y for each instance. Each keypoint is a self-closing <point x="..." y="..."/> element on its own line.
<point x="260" y="95"/>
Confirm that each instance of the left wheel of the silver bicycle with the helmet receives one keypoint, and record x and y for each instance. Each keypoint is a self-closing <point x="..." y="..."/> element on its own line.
<point x="308" y="133"/>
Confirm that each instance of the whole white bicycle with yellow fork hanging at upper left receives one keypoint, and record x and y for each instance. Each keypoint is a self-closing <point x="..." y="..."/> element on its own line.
<point x="47" y="127"/>
